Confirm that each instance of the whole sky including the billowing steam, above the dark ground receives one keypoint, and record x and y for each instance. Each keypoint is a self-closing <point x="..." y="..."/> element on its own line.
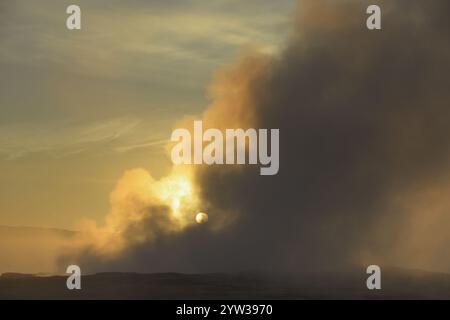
<point x="363" y="118"/>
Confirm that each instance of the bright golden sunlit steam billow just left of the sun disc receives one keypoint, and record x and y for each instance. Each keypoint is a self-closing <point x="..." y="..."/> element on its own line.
<point x="147" y="206"/>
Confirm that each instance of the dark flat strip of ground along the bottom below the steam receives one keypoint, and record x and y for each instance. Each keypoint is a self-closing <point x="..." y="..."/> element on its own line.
<point x="396" y="284"/>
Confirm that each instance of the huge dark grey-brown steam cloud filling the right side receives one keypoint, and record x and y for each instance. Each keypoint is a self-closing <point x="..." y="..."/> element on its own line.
<point x="364" y="121"/>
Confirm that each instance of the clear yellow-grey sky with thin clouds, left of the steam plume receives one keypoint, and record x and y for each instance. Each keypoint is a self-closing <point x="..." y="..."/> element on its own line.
<point x="78" y="108"/>
